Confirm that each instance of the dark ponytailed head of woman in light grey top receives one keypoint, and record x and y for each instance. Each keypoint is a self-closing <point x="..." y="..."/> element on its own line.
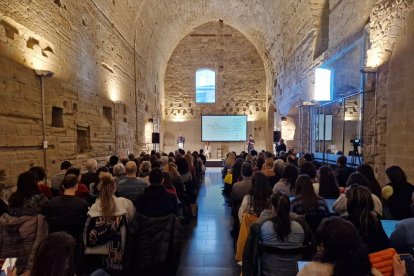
<point x="281" y="222"/>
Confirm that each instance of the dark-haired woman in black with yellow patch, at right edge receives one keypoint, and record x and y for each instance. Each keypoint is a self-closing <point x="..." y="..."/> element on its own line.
<point x="398" y="193"/>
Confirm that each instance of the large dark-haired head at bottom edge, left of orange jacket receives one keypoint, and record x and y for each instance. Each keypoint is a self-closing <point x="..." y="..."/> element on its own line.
<point x="343" y="247"/>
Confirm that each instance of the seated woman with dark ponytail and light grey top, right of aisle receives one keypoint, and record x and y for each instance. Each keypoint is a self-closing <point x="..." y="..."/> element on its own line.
<point x="280" y="241"/>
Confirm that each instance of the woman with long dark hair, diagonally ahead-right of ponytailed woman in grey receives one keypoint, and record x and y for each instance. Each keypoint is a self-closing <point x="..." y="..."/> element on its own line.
<point x="307" y="202"/>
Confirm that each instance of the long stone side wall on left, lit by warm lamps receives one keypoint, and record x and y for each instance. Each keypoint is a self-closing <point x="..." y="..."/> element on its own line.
<point x="90" y="48"/>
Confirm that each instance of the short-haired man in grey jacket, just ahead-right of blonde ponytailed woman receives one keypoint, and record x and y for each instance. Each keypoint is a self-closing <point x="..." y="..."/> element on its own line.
<point x="130" y="187"/>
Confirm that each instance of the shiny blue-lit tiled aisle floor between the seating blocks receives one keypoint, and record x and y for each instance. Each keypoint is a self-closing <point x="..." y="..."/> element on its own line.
<point x="209" y="250"/>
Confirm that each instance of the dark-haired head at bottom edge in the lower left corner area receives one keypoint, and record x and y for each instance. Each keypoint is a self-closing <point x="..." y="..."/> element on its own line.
<point x="54" y="256"/>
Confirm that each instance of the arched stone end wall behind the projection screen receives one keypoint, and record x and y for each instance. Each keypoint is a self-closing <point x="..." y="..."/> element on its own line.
<point x="240" y="86"/>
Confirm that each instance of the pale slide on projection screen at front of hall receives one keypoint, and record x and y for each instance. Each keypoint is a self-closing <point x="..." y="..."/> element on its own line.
<point x="224" y="128"/>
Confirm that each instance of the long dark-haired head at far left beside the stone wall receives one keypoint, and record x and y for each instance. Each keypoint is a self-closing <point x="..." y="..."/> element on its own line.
<point x="26" y="188"/>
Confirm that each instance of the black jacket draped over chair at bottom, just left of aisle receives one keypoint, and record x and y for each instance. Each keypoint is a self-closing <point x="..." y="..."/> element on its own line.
<point x="153" y="245"/>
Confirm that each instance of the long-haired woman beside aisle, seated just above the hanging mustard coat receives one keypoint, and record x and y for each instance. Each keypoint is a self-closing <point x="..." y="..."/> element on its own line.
<point x="259" y="197"/>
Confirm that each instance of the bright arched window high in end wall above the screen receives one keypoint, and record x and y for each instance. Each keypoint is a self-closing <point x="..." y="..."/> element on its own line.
<point x="205" y="86"/>
